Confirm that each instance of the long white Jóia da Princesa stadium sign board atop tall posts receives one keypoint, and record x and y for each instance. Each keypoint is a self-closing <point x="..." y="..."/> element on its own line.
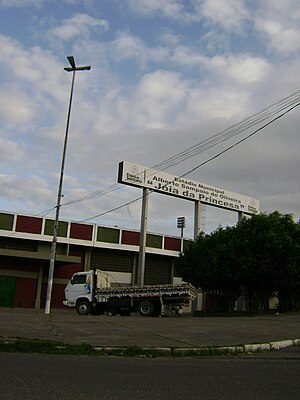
<point x="158" y="181"/>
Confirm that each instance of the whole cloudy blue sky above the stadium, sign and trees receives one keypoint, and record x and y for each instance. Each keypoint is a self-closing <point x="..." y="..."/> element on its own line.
<point x="165" y="76"/>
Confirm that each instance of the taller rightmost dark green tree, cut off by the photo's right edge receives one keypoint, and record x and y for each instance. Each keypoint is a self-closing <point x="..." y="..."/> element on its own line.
<point x="270" y="260"/>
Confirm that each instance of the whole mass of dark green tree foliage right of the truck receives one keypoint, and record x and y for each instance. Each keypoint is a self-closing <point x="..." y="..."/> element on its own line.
<point x="259" y="256"/>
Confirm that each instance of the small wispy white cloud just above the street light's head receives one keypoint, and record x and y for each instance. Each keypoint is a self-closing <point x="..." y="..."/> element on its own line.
<point x="78" y="26"/>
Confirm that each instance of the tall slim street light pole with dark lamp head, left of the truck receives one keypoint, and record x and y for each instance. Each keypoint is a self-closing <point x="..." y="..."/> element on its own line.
<point x="73" y="69"/>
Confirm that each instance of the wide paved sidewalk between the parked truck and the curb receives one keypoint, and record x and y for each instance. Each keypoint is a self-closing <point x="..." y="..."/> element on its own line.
<point x="68" y="327"/>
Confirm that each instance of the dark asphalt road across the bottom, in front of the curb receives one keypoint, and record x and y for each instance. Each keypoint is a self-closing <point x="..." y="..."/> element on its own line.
<point x="37" y="376"/>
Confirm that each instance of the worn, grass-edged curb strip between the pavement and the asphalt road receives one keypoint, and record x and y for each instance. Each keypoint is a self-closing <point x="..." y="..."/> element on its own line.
<point x="21" y="345"/>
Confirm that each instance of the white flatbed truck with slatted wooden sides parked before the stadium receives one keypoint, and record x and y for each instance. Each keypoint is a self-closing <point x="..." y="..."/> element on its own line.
<point x="91" y="293"/>
